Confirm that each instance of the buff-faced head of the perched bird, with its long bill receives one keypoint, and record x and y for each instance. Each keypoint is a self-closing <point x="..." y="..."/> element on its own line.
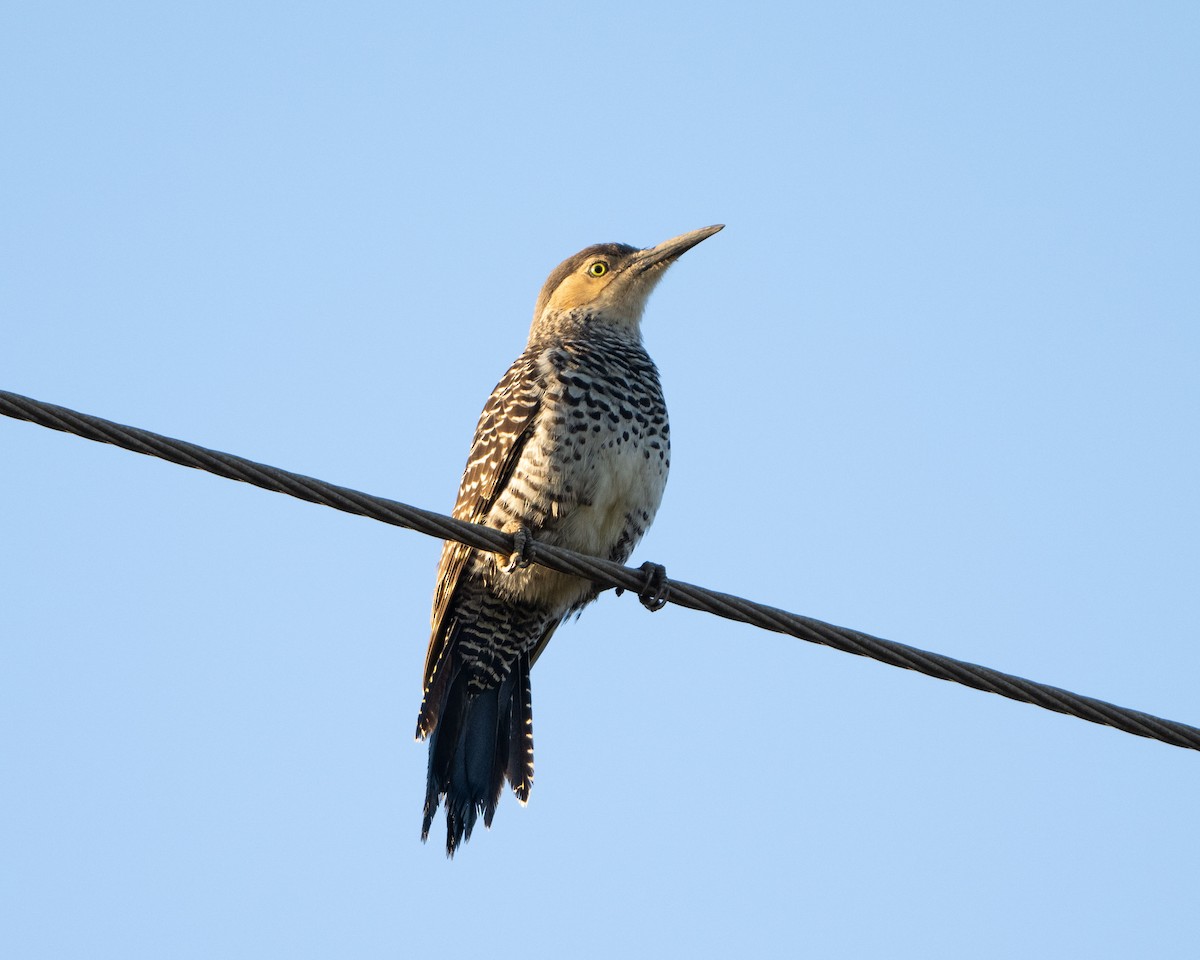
<point x="609" y="283"/>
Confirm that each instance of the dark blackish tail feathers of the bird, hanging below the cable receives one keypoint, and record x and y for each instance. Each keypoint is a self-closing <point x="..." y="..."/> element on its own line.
<point x="479" y="739"/>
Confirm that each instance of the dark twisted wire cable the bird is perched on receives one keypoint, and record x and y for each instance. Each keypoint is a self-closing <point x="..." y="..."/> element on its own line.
<point x="604" y="573"/>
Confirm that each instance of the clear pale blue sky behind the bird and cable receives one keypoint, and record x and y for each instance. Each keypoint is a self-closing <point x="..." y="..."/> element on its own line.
<point x="935" y="381"/>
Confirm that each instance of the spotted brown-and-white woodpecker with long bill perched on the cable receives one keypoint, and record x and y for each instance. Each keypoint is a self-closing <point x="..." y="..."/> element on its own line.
<point x="572" y="449"/>
